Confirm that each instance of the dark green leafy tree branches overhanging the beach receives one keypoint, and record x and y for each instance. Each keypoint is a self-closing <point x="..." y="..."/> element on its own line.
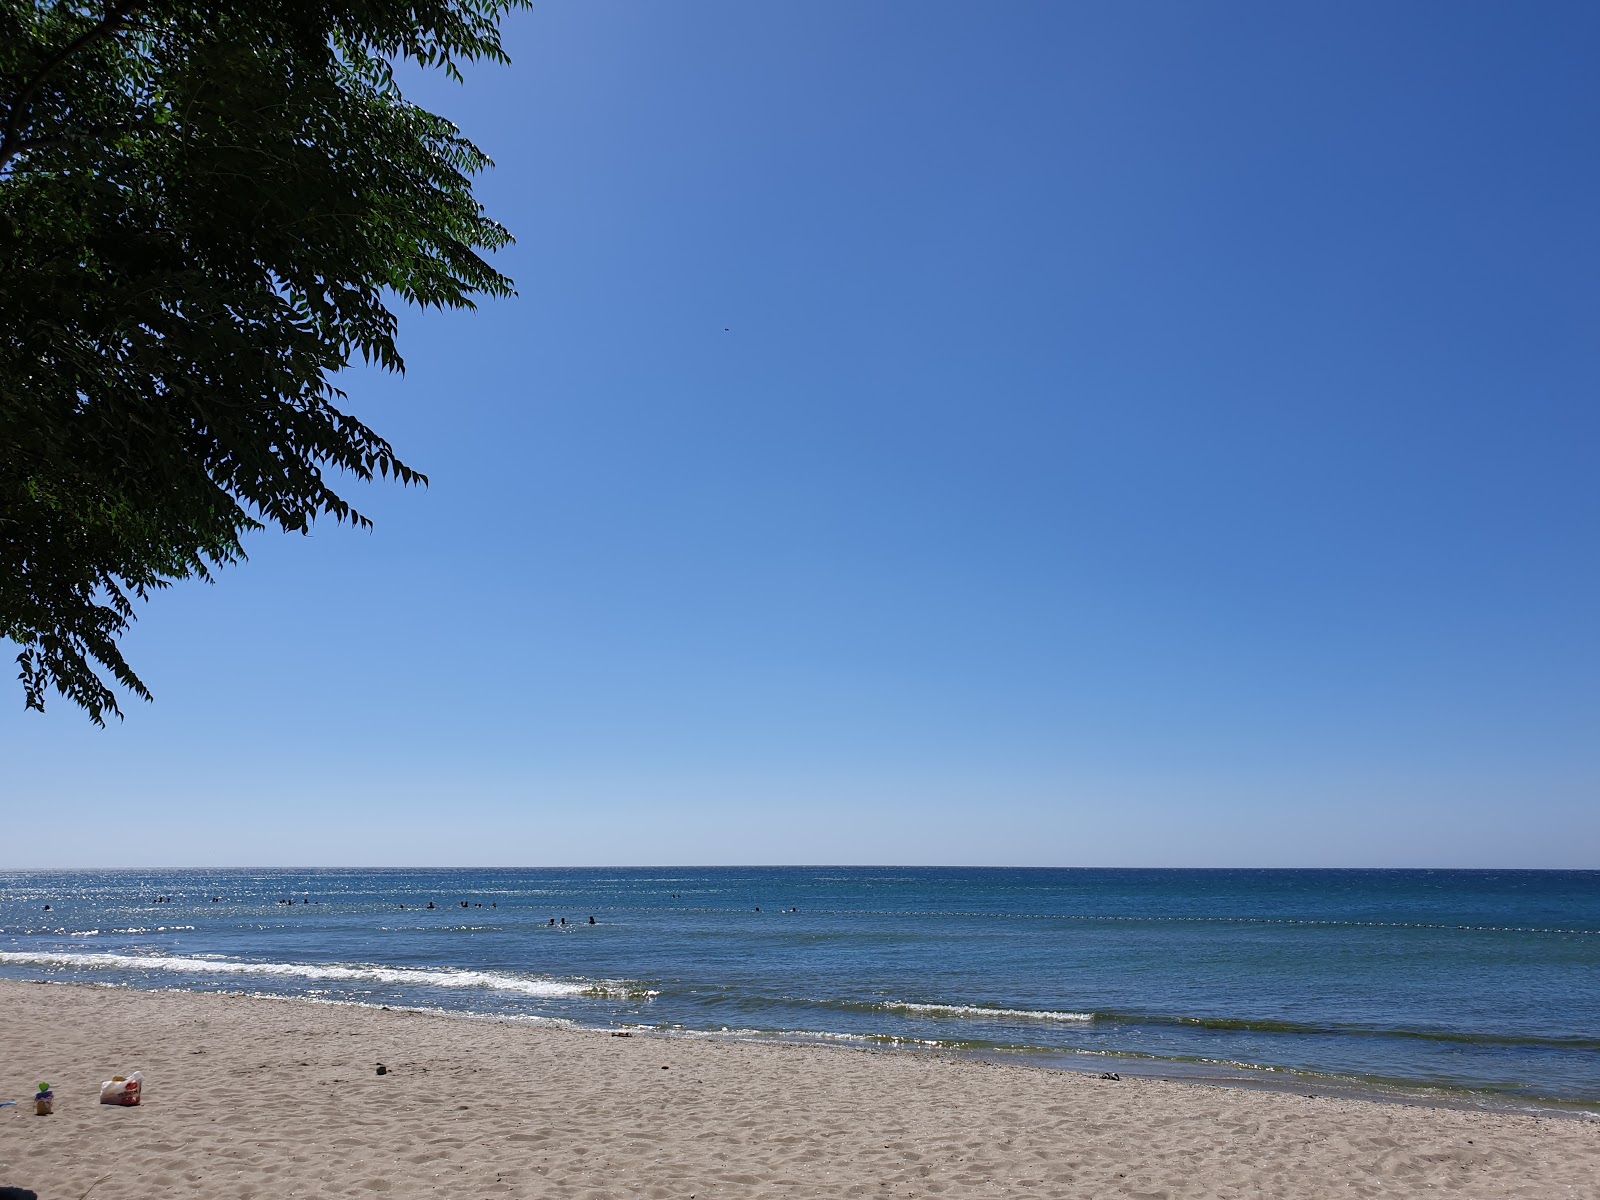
<point x="206" y="214"/>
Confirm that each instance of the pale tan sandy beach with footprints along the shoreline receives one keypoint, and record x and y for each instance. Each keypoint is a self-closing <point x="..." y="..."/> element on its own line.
<point x="276" y="1098"/>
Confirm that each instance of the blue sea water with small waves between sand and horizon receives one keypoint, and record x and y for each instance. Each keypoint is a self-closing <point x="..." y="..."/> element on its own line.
<point x="1466" y="986"/>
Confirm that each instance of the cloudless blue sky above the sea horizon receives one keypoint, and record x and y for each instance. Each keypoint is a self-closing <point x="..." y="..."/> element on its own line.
<point x="978" y="434"/>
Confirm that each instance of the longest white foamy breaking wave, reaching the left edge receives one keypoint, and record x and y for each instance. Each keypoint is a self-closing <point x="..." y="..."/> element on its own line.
<point x="367" y="974"/>
